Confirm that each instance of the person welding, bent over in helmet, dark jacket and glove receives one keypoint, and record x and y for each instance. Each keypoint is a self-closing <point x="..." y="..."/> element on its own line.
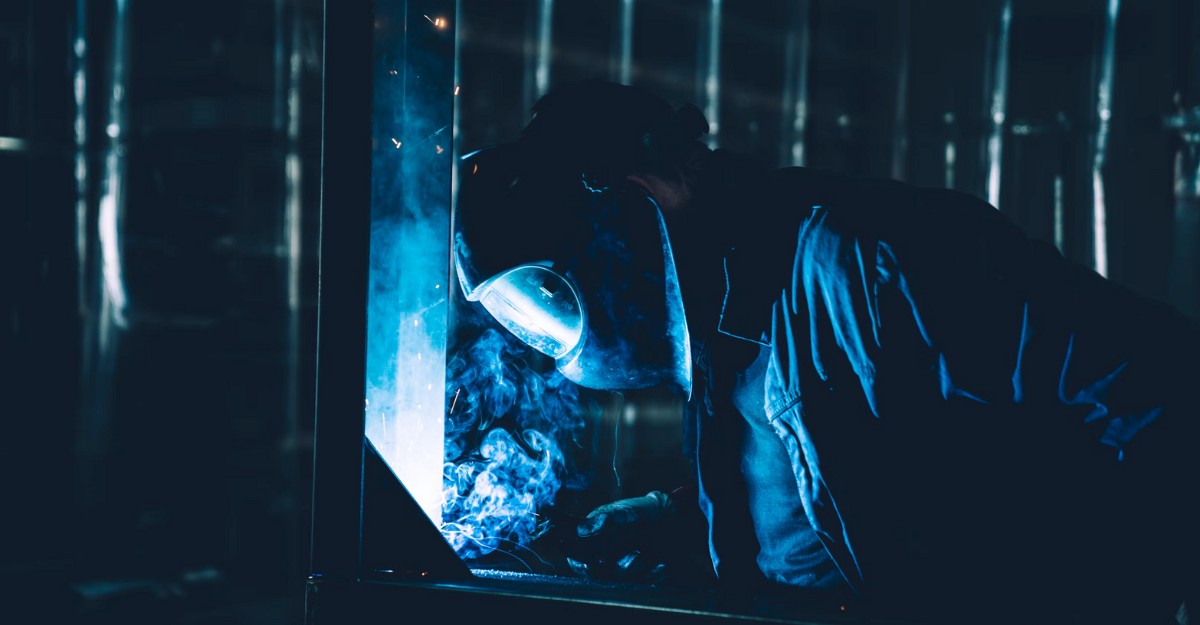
<point x="895" y="394"/>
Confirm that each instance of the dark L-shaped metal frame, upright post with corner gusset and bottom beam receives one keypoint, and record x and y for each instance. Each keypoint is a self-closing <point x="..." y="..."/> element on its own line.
<point x="356" y="495"/>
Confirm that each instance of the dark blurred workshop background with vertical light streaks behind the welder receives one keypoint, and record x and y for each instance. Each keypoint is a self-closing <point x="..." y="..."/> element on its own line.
<point x="161" y="173"/>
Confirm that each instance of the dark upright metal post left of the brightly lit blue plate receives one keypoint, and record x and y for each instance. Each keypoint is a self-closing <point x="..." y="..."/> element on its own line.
<point x="341" y="320"/>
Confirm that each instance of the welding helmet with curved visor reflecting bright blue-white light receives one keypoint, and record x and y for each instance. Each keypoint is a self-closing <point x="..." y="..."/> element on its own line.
<point x="583" y="273"/>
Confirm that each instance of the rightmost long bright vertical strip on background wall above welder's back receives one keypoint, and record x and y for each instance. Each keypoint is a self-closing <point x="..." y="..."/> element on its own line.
<point x="1103" y="113"/>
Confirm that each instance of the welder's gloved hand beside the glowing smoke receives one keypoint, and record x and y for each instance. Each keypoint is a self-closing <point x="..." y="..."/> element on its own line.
<point x="628" y="540"/>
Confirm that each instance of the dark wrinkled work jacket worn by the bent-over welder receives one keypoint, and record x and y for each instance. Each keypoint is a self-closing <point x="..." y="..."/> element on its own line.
<point x="968" y="417"/>
